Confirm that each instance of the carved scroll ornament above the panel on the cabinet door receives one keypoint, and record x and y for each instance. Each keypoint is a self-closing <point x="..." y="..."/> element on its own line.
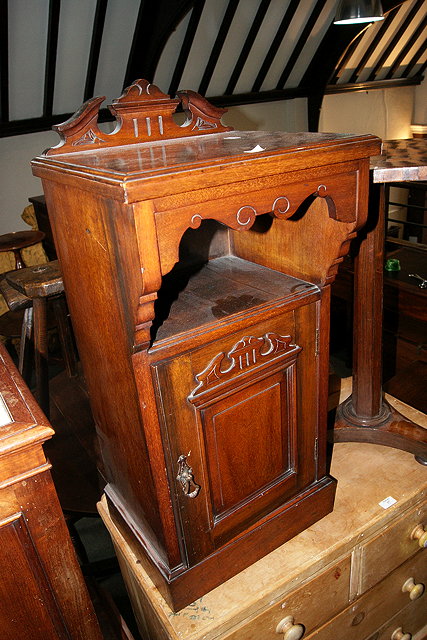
<point x="246" y="355"/>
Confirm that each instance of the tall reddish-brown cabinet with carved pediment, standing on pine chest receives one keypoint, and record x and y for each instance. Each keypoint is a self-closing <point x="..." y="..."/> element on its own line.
<point x="197" y="264"/>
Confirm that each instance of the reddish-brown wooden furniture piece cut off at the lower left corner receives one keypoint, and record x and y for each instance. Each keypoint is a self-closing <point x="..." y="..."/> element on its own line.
<point x="43" y="595"/>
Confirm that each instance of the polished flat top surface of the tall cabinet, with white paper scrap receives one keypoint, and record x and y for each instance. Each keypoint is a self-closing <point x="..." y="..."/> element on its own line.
<point x="142" y="160"/>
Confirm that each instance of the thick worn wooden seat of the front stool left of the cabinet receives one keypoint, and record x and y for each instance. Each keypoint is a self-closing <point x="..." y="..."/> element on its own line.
<point x="41" y="281"/>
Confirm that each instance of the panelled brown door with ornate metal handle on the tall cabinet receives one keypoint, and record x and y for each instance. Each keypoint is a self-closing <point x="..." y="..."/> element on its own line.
<point x="239" y="433"/>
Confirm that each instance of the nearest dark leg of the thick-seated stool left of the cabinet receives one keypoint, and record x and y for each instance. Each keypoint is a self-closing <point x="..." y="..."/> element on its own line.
<point x="41" y="353"/>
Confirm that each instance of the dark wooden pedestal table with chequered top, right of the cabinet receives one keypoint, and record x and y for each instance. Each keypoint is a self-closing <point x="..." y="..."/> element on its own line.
<point x="365" y="416"/>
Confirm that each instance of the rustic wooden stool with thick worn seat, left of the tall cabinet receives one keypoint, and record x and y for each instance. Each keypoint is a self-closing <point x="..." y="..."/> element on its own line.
<point x="38" y="285"/>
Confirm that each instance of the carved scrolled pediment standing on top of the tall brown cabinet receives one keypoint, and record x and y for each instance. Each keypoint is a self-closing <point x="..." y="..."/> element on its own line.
<point x="143" y="113"/>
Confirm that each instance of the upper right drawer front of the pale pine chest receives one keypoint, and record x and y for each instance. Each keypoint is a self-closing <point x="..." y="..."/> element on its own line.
<point x="390" y="548"/>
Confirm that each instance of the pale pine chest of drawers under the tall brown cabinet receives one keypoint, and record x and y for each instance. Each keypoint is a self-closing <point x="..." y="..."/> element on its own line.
<point x="357" y="574"/>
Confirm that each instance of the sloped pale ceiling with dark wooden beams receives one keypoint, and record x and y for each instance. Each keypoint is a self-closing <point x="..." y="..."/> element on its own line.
<point x="58" y="54"/>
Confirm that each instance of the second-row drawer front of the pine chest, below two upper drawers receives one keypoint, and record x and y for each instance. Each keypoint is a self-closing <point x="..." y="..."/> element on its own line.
<point x="377" y="606"/>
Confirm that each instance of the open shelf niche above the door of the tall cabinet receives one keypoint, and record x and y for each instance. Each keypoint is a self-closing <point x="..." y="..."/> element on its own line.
<point x="210" y="284"/>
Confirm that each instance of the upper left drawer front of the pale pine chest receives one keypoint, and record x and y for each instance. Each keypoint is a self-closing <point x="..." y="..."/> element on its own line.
<point x="312" y="604"/>
